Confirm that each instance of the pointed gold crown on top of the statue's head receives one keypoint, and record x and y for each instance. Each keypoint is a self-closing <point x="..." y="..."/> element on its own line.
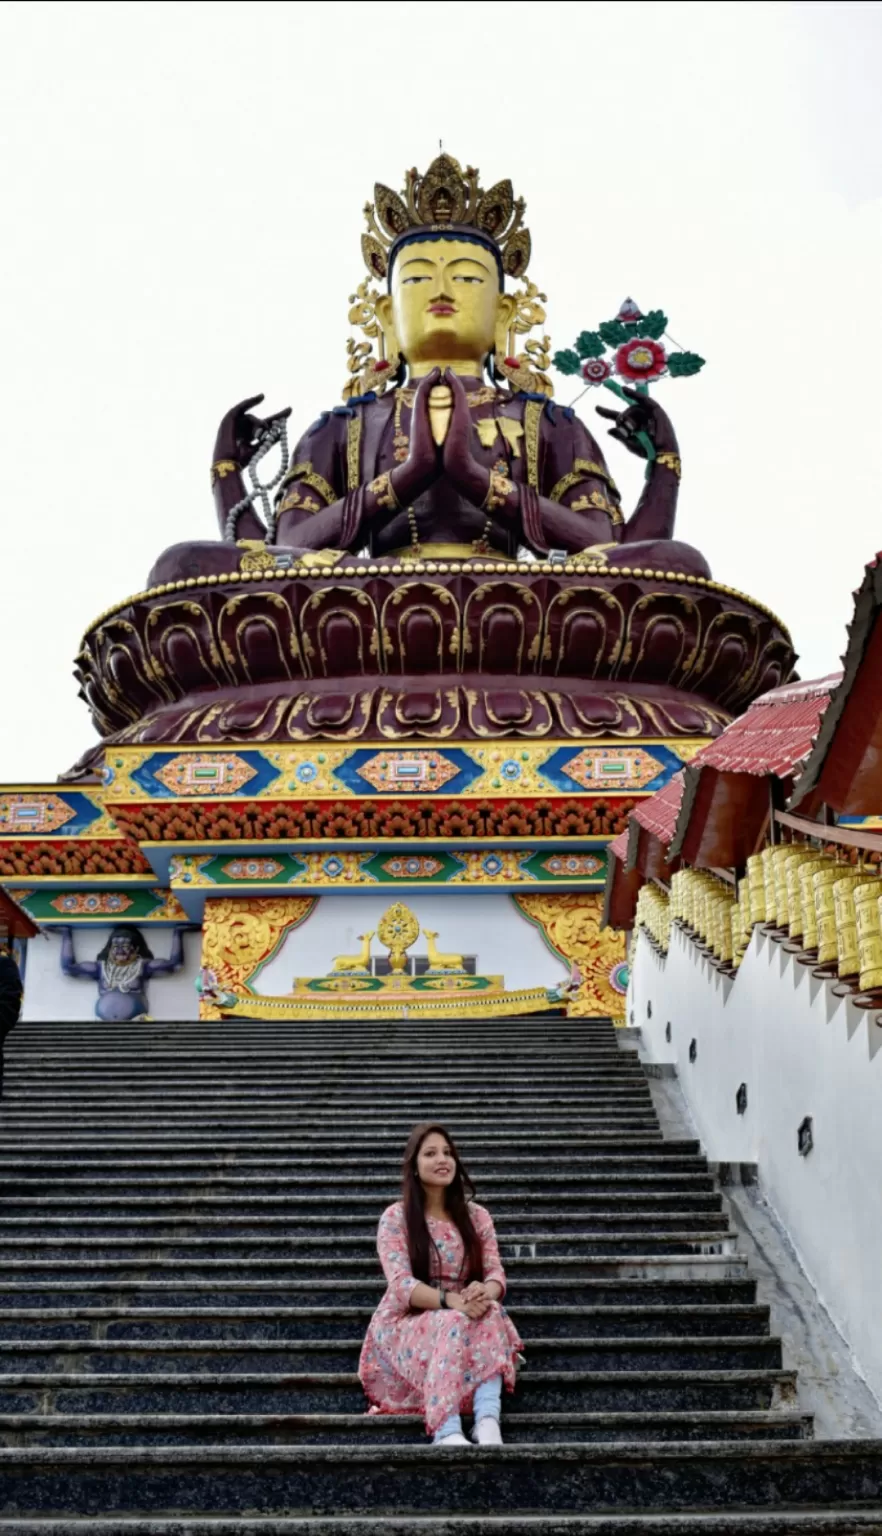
<point x="446" y="197"/>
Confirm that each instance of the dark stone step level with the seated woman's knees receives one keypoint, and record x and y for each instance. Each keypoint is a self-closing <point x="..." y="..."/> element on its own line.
<point x="319" y="1356"/>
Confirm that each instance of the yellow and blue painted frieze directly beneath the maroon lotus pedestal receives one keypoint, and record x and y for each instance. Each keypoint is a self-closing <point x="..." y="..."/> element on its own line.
<point x="334" y="772"/>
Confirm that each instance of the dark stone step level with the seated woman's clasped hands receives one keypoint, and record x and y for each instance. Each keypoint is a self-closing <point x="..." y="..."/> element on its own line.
<point x="617" y="1293"/>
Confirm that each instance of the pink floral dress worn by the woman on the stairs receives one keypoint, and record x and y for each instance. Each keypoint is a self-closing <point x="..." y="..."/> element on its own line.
<point x="431" y="1363"/>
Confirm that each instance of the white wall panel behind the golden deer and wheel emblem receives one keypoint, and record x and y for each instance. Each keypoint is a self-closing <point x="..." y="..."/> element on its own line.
<point x="483" y="924"/>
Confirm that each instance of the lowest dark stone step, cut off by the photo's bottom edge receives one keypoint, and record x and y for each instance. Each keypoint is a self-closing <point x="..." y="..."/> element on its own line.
<point x="787" y="1520"/>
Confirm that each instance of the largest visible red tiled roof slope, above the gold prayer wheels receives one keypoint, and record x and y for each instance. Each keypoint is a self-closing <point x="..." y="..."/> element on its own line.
<point x="775" y="735"/>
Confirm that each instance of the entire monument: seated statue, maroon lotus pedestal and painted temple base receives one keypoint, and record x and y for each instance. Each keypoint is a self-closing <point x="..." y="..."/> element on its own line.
<point x="422" y="678"/>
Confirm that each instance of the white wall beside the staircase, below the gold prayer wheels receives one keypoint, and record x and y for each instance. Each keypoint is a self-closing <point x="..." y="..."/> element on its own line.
<point x="801" y="1051"/>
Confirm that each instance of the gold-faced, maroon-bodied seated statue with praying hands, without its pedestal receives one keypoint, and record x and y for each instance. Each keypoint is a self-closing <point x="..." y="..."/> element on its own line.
<point x="449" y="445"/>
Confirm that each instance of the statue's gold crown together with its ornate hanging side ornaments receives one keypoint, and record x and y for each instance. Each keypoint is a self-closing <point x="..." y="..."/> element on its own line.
<point x="448" y="199"/>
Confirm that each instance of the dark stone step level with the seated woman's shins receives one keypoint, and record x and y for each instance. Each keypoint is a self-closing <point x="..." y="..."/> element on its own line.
<point x="634" y="1391"/>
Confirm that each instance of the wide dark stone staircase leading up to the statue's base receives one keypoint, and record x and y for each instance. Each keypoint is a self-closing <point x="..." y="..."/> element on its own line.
<point x="188" y="1265"/>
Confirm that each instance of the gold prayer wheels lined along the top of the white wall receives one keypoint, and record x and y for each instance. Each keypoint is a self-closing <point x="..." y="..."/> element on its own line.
<point x="829" y="912"/>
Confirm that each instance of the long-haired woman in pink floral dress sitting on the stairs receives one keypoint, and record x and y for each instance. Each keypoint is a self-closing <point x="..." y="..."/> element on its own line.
<point x="440" y="1343"/>
